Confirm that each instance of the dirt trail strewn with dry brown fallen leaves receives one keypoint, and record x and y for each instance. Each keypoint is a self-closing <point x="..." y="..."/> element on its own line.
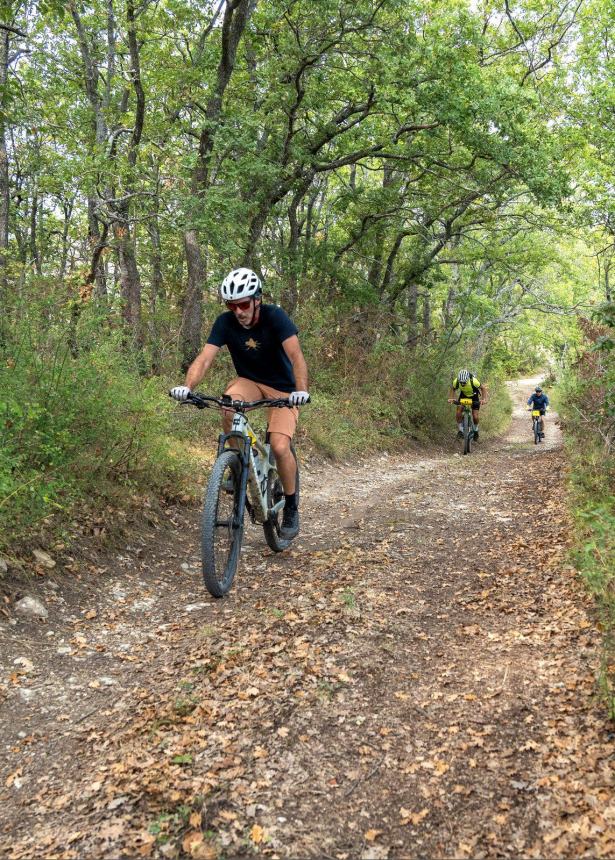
<point x="416" y="678"/>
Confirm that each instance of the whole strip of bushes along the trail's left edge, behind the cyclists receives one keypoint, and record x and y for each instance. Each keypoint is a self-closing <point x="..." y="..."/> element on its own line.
<point x="79" y="433"/>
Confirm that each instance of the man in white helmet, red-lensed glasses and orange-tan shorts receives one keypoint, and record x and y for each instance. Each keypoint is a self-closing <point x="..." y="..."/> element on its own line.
<point x="265" y="350"/>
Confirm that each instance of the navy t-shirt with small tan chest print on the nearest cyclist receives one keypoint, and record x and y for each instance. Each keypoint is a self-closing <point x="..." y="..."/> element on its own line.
<point x="257" y="352"/>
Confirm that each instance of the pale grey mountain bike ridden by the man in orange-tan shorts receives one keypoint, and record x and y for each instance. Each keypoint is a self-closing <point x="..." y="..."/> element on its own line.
<point x="244" y="477"/>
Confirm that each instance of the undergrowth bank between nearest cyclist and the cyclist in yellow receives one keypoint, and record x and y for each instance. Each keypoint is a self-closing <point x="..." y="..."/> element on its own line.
<point x="387" y="397"/>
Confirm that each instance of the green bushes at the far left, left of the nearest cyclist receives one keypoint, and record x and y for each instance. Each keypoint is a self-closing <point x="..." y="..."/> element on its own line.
<point x="70" y="429"/>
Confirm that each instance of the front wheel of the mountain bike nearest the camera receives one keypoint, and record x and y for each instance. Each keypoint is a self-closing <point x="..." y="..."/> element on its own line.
<point x="222" y="524"/>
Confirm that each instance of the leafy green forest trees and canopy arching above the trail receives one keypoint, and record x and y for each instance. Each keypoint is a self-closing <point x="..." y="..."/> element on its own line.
<point x="435" y="172"/>
